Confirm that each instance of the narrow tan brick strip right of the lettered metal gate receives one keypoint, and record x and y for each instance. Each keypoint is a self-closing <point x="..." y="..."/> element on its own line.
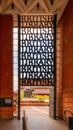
<point x="58" y="69"/>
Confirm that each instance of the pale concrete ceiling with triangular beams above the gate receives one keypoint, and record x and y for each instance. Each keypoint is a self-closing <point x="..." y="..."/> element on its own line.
<point x="15" y="7"/>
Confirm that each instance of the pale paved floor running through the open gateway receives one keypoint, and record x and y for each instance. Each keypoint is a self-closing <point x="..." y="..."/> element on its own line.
<point x="38" y="119"/>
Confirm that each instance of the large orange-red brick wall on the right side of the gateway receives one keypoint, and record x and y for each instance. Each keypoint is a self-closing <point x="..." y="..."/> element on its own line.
<point x="67" y="58"/>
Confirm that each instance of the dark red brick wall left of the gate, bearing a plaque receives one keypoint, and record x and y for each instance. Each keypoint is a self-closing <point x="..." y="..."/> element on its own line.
<point x="6" y="65"/>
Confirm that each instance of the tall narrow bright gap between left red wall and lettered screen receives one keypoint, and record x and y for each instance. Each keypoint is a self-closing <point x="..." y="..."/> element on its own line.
<point x="15" y="58"/>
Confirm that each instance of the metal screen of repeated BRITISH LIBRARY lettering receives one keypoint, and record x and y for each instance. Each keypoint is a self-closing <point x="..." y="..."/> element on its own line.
<point x="36" y="50"/>
